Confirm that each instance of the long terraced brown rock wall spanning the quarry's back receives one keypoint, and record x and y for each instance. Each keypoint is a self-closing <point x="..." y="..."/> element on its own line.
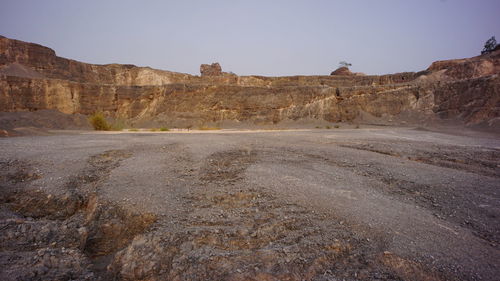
<point x="32" y="77"/>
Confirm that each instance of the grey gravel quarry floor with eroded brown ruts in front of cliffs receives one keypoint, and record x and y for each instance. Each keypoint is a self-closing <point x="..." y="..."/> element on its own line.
<point x="341" y="204"/>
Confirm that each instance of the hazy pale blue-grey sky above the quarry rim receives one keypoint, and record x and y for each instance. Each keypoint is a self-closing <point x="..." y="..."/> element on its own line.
<point x="254" y="37"/>
